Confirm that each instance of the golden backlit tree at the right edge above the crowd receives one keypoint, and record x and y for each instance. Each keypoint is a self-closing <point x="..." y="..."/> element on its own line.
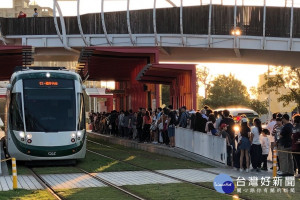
<point x="283" y="77"/>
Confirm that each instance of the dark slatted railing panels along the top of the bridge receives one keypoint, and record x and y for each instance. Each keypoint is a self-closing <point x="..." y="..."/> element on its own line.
<point x="195" y="21"/>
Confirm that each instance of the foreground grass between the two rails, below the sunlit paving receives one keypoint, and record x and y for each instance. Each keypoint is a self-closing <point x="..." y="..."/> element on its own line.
<point x="105" y="193"/>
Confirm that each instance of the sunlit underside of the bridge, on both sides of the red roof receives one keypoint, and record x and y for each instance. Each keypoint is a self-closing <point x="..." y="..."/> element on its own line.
<point x="192" y="55"/>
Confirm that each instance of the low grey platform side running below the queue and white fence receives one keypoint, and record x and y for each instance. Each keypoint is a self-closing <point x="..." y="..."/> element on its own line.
<point x="157" y="148"/>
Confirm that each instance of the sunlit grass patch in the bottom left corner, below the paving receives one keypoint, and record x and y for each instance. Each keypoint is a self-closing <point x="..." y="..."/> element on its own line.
<point x="21" y="194"/>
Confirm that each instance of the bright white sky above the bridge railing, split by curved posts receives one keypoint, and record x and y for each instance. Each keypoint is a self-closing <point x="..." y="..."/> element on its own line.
<point x="69" y="6"/>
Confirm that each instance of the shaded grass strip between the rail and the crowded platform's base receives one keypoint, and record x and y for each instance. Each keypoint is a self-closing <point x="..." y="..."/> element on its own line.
<point x="142" y="158"/>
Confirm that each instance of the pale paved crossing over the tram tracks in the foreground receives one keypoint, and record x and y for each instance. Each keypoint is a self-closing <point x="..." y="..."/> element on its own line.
<point x="80" y="180"/>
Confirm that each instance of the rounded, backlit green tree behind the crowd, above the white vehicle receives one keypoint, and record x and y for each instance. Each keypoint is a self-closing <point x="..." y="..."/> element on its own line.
<point x="227" y="91"/>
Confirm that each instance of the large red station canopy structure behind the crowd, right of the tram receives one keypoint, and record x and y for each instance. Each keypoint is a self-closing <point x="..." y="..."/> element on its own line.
<point x="138" y="73"/>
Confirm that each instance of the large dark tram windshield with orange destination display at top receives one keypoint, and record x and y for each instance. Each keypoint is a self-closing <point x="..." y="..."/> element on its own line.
<point x="49" y="105"/>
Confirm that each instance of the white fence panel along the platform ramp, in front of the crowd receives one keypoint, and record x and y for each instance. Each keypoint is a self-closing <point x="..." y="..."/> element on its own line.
<point x="209" y="146"/>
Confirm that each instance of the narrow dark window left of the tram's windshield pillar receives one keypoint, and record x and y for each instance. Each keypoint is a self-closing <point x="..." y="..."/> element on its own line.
<point x="16" y="119"/>
